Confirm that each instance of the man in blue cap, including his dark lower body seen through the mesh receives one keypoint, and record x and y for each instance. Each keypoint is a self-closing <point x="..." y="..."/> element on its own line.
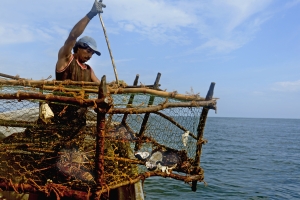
<point x="73" y="67"/>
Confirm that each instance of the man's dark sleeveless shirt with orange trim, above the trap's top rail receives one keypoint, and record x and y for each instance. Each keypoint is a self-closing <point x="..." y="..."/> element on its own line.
<point x="75" y="71"/>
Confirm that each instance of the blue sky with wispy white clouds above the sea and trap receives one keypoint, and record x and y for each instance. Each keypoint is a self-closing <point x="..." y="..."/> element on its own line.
<point x="249" y="48"/>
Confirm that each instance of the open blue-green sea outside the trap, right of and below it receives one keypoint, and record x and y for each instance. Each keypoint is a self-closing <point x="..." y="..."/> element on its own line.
<point x="245" y="158"/>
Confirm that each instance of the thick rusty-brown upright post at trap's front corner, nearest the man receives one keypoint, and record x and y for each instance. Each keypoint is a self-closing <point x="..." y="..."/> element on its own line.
<point x="100" y="137"/>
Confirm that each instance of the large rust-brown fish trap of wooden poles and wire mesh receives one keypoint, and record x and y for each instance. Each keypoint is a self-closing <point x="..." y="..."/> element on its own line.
<point x="102" y="136"/>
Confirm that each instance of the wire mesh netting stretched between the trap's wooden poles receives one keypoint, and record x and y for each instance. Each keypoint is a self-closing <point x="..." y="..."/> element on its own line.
<point x="62" y="150"/>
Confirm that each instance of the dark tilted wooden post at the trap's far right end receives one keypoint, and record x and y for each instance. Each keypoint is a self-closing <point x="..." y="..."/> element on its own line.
<point x="200" y="131"/>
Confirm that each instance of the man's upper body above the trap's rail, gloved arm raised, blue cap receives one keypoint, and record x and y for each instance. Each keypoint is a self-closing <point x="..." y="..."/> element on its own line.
<point x="72" y="66"/>
